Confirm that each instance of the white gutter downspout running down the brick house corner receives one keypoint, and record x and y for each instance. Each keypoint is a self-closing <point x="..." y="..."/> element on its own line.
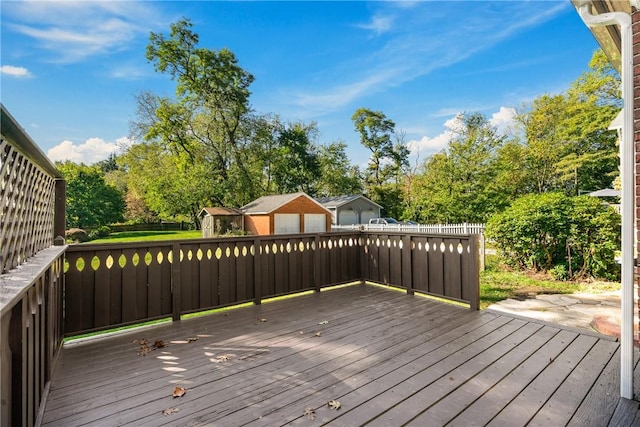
<point x="626" y="169"/>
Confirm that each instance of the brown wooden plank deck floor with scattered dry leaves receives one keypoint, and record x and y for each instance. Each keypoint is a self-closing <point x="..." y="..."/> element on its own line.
<point x="388" y="358"/>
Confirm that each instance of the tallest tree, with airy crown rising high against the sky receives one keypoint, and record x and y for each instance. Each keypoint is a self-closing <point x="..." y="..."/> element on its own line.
<point x="205" y="121"/>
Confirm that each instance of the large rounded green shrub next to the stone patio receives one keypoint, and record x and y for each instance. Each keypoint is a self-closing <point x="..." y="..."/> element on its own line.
<point x="544" y="231"/>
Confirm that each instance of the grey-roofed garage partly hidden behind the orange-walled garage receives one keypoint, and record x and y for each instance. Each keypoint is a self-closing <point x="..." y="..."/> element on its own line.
<point x="352" y="209"/>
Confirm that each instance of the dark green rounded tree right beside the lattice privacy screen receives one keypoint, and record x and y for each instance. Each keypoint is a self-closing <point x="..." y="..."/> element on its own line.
<point x="90" y="200"/>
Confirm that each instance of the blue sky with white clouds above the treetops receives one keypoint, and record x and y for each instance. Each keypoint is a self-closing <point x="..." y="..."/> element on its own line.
<point x="70" y="70"/>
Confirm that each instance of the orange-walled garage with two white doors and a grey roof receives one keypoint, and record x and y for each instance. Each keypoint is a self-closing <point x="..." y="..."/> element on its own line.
<point x="286" y="214"/>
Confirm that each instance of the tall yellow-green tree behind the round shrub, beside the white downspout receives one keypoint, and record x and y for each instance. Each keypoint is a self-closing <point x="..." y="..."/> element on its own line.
<point x="568" y="144"/>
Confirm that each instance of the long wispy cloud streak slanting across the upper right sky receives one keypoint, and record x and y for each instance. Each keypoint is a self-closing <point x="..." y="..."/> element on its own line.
<point x="412" y="51"/>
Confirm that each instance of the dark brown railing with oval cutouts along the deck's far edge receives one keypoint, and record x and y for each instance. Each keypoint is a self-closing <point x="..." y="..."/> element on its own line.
<point x="111" y="285"/>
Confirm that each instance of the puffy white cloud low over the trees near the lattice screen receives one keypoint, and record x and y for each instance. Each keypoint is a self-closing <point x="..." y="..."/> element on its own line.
<point x="91" y="151"/>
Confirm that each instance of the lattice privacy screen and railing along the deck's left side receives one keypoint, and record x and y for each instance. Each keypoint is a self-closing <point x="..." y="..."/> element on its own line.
<point x="31" y="279"/>
